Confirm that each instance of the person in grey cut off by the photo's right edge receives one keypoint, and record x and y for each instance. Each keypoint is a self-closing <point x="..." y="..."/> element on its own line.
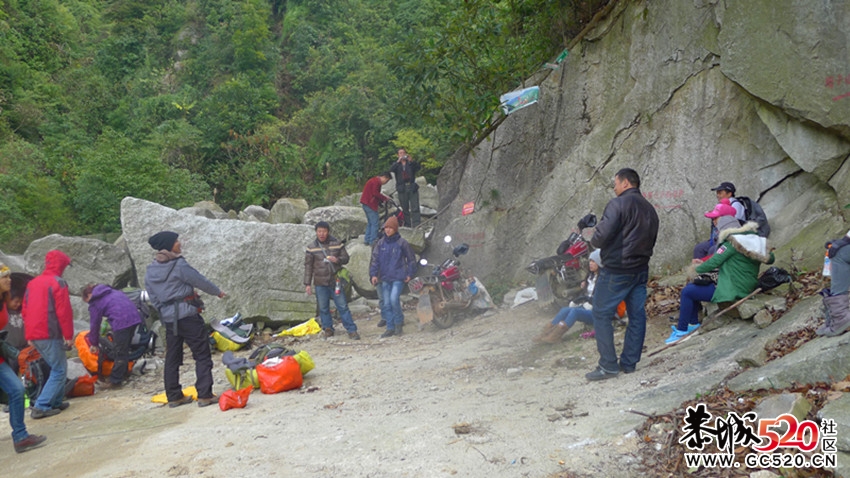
<point x="835" y="299"/>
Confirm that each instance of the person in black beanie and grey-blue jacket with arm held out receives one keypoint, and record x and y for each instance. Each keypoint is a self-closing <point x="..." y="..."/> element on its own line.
<point x="171" y="282"/>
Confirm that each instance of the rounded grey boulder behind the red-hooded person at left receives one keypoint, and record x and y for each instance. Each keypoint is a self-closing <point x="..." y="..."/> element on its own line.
<point x="92" y="261"/>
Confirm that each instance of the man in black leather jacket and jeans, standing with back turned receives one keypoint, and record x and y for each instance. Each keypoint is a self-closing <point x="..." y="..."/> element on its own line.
<point x="626" y="234"/>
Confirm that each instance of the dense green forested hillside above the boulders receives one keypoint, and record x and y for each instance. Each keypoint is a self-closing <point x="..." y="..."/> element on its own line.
<point x="244" y="101"/>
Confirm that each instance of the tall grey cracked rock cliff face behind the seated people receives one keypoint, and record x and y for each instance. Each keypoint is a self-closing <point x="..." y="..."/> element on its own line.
<point x="689" y="94"/>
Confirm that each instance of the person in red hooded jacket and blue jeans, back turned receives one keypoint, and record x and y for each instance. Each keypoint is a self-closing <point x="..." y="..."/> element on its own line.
<point x="49" y="326"/>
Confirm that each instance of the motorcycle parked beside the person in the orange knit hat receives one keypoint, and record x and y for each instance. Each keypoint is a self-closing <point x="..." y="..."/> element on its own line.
<point x="447" y="290"/>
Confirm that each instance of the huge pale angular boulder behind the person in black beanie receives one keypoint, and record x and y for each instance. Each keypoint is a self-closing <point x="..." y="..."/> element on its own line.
<point x="259" y="265"/>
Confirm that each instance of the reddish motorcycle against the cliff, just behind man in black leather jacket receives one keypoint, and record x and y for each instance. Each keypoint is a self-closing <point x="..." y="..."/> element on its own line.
<point x="559" y="277"/>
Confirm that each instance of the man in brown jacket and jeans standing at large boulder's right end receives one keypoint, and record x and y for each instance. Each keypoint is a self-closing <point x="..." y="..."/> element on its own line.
<point x="323" y="258"/>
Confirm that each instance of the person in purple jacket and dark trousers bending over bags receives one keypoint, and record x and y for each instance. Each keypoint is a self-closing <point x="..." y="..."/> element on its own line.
<point x="123" y="317"/>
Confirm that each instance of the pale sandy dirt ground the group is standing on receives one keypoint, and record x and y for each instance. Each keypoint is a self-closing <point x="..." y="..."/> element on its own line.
<point x="478" y="399"/>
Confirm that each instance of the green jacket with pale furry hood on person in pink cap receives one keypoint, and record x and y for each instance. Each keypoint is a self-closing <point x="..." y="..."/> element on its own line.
<point x="738" y="258"/>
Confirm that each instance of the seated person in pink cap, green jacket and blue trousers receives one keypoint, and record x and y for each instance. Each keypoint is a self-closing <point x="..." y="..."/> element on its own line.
<point x="737" y="259"/>
